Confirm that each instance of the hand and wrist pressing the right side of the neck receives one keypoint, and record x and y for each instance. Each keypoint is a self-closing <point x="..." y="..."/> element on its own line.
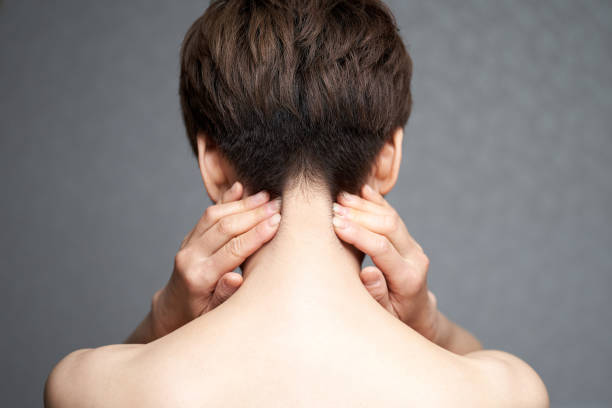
<point x="399" y="283"/>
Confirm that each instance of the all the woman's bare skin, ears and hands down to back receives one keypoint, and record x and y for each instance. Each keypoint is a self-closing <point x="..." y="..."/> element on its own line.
<point x="307" y="325"/>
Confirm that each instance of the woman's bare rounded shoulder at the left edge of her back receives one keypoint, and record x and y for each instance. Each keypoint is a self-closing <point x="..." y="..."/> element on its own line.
<point x="88" y="376"/>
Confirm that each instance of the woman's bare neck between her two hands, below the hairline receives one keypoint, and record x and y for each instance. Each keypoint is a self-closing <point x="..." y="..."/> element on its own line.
<point x="305" y="257"/>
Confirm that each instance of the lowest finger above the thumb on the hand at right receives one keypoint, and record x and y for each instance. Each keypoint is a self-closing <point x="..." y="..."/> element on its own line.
<point x="399" y="274"/>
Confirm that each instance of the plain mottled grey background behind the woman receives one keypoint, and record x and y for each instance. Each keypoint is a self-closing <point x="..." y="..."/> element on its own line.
<point x="506" y="178"/>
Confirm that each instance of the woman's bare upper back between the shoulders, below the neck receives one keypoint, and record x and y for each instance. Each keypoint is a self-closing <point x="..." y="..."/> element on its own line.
<point x="301" y="355"/>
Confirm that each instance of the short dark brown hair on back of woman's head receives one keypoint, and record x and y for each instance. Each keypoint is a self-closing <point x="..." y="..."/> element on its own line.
<point x="289" y="89"/>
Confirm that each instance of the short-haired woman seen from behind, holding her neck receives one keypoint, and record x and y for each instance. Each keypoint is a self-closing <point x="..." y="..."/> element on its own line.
<point x="304" y="100"/>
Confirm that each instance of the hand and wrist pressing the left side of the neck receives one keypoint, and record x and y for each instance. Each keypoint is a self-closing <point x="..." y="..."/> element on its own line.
<point x="203" y="278"/>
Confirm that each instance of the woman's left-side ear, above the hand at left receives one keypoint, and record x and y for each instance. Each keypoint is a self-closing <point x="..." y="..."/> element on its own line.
<point x="217" y="175"/>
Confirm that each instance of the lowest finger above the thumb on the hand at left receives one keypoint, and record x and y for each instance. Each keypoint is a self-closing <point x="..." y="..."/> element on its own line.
<point x="234" y="253"/>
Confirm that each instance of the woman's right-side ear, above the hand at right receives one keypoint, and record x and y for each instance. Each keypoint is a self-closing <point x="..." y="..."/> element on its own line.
<point x="386" y="167"/>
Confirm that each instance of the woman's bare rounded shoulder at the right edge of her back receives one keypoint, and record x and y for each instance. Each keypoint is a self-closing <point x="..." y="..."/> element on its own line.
<point x="510" y="381"/>
